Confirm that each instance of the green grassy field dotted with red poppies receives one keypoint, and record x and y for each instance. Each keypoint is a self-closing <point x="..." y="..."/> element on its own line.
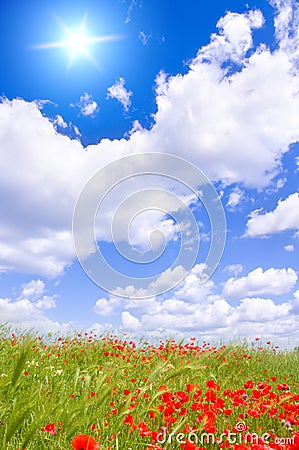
<point x="94" y="392"/>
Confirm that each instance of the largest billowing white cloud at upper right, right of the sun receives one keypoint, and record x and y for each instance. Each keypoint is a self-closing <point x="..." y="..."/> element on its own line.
<point x="229" y="123"/>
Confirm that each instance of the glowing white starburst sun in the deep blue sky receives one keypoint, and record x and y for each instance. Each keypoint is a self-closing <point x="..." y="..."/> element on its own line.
<point x="77" y="42"/>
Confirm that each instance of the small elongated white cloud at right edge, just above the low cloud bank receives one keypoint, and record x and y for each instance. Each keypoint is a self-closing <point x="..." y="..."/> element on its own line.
<point x="259" y="282"/>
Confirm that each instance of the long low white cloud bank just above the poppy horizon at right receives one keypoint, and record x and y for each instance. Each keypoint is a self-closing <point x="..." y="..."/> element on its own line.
<point x="215" y="319"/>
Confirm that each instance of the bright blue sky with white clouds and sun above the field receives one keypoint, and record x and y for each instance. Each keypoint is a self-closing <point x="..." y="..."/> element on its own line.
<point x="149" y="168"/>
